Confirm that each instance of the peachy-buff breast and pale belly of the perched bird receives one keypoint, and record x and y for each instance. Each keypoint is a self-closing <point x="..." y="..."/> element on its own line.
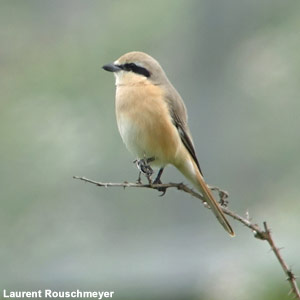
<point x="145" y="124"/>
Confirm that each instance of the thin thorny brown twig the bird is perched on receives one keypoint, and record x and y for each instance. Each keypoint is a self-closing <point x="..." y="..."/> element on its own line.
<point x="262" y="234"/>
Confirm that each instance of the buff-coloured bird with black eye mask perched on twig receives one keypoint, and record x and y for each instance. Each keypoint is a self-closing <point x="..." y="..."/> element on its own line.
<point x="153" y="123"/>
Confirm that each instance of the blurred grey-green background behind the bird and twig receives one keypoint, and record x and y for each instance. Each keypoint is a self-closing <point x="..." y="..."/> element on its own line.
<point x="236" y="65"/>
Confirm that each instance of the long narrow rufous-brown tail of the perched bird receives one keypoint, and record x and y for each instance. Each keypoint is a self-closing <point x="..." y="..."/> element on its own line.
<point x="192" y="173"/>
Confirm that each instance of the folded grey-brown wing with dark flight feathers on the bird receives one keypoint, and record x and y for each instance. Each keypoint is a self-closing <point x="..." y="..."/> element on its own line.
<point x="179" y="117"/>
